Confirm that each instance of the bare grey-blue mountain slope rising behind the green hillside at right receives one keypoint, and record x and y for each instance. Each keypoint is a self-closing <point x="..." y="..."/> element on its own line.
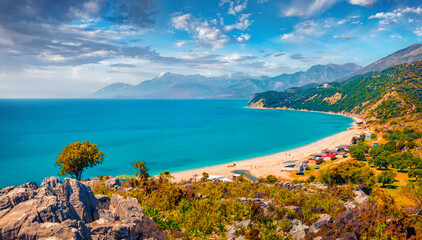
<point x="410" y="54"/>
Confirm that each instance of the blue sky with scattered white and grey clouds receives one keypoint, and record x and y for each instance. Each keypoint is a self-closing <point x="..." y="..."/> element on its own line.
<point x="67" y="49"/>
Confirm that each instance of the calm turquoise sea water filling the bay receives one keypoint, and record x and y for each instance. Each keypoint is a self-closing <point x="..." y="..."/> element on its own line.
<point x="169" y="135"/>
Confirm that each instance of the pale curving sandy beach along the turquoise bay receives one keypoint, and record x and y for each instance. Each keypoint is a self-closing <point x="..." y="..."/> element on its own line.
<point x="273" y="164"/>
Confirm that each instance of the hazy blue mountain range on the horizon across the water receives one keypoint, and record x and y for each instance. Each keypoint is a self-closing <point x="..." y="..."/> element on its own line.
<point x="236" y="85"/>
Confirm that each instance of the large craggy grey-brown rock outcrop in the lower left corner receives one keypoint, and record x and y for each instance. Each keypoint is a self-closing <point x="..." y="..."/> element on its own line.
<point x="69" y="210"/>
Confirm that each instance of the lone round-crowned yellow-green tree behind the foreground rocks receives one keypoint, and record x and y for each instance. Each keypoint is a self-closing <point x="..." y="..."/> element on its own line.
<point x="76" y="157"/>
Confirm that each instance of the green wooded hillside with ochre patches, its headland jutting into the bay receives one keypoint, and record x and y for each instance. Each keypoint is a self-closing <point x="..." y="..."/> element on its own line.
<point x="393" y="92"/>
